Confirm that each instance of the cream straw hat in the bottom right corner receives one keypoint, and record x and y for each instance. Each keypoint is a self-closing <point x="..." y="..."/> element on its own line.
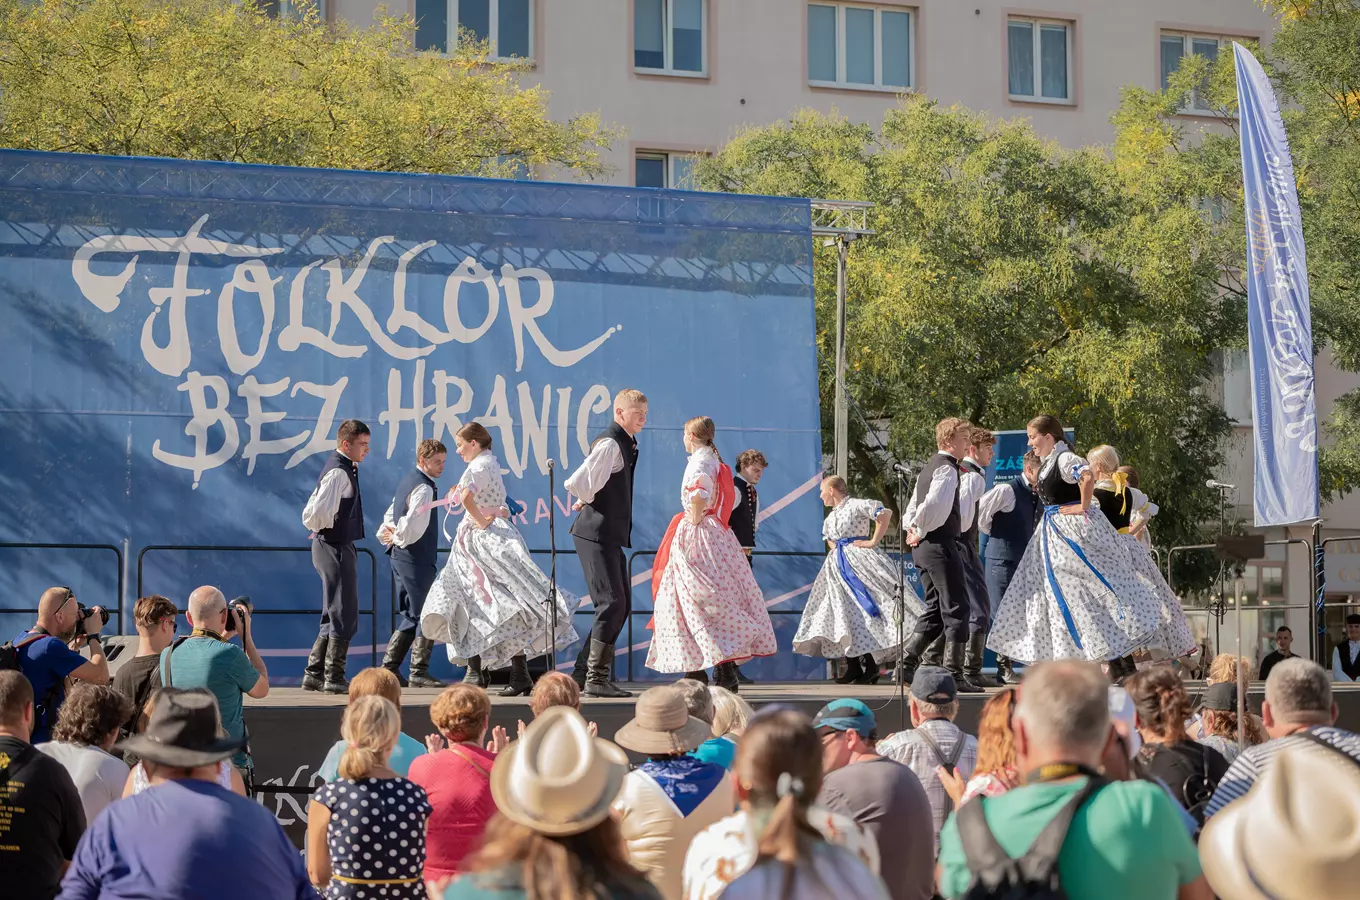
<point x="1294" y="837"/>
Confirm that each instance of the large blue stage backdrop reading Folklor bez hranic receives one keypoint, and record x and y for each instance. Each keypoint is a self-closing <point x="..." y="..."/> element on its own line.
<point x="183" y="341"/>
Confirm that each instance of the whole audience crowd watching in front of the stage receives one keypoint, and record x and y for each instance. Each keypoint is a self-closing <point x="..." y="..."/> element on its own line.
<point x="142" y="789"/>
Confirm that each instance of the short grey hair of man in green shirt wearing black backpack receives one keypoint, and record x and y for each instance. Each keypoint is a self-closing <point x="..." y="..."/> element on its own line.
<point x="1067" y="705"/>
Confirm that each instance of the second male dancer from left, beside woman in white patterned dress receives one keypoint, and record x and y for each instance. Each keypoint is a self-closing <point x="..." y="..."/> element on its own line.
<point x="411" y="536"/>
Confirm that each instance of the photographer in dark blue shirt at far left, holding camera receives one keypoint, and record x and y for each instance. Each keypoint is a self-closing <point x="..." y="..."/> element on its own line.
<point x="50" y="653"/>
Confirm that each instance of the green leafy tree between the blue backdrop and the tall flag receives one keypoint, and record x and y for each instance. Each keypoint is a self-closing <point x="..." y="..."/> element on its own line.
<point x="1010" y="278"/>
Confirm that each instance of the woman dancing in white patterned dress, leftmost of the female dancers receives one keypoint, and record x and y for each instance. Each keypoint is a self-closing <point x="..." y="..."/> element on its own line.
<point x="489" y="600"/>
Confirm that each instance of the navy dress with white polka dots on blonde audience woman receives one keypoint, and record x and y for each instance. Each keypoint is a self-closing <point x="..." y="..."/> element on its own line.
<point x="377" y="834"/>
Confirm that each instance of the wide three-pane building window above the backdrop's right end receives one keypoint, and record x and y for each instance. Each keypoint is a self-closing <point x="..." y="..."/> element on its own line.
<point x="859" y="47"/>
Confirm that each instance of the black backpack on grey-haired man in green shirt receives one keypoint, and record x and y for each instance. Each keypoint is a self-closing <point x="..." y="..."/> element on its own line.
<point x="1034" y="876"/>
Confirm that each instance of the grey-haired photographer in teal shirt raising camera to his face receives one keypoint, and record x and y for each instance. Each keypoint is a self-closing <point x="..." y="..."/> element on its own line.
<point x="207" y="660"/>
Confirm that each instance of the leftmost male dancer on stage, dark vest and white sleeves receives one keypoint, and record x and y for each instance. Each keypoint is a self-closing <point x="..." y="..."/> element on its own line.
<point x="335" y="516"/>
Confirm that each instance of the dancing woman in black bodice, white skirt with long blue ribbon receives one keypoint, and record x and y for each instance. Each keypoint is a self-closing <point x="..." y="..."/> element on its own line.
<point x="1075" y="592"/>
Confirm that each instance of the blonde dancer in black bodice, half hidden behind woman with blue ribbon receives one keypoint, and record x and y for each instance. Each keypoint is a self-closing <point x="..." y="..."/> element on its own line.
<point x="1120" y="502"/>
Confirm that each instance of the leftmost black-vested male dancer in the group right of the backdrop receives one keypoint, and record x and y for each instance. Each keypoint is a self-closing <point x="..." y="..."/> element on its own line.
<point x="934" y="535"/>
